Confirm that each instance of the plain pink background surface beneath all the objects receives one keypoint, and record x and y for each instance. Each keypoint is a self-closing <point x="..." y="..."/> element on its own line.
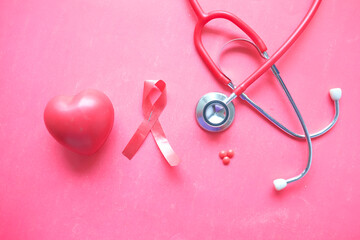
<point x="49" y="48"/>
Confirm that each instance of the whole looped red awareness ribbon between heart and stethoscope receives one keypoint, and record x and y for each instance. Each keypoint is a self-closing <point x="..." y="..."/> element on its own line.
<point x="151" y="123"/>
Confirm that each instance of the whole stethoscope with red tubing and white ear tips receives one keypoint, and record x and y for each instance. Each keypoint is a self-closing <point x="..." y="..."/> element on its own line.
<point x="215" y="111"/>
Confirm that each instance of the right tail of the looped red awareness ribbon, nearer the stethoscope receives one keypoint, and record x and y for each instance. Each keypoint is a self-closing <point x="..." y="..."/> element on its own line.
<point x="164" y="145"/>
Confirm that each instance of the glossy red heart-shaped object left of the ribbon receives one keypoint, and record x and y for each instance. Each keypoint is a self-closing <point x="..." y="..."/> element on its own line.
<point x="82" y="122"/>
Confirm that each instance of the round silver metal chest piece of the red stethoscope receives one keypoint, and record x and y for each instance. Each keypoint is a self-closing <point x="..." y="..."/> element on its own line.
<point x="213" y="114"/>
